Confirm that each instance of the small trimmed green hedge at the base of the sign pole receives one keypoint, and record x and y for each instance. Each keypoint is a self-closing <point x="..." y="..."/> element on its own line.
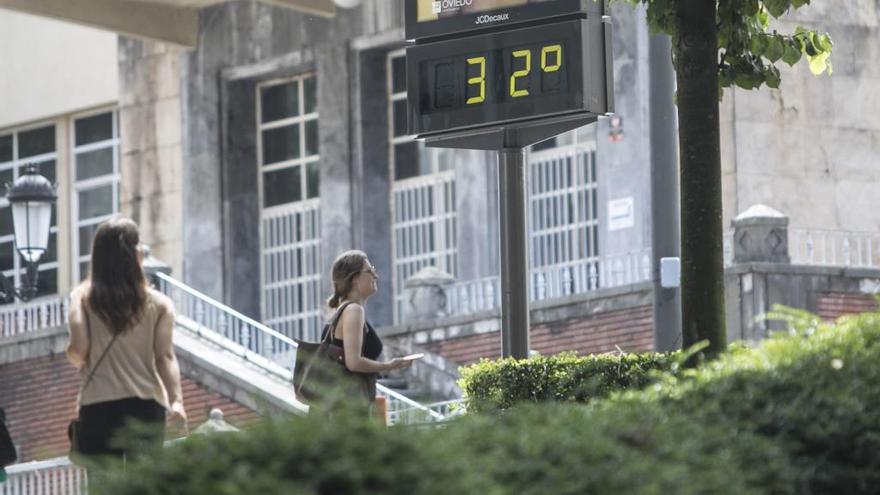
<point x="500" y="384"/>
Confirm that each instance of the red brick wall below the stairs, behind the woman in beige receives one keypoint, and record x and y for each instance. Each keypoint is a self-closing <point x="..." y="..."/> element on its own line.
<point x="39" y="396"/>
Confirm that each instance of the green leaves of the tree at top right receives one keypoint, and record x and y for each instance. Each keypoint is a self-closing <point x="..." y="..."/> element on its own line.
<point x="750" y="47"/>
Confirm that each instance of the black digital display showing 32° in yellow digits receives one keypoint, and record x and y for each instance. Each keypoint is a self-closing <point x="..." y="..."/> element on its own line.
<point x="501" y="77"/>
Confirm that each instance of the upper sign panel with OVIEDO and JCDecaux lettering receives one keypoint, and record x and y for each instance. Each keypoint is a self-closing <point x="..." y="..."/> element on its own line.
<point x="433" y="18"/>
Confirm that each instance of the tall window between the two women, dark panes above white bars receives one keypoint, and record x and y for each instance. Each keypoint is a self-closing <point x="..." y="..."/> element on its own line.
<point x="289" y="158"/>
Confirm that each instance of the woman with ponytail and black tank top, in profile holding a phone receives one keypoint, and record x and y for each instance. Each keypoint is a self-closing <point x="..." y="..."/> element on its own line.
<point x="354" y="281"/>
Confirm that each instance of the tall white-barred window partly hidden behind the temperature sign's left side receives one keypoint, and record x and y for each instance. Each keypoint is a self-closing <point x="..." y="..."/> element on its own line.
<point x="423" y="194"/>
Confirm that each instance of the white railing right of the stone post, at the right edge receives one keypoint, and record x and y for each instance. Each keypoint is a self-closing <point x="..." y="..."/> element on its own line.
<point x="835" y="248"/>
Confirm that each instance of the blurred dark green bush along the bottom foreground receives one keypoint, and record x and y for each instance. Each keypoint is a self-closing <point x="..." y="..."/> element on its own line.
<point x="538" y="450"/>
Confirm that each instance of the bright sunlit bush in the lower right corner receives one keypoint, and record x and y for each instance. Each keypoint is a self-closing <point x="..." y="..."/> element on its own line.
<point x="814" y="392"/>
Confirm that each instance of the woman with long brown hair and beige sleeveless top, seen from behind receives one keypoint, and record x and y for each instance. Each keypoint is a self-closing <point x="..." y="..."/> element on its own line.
<point x="120" y="341"/>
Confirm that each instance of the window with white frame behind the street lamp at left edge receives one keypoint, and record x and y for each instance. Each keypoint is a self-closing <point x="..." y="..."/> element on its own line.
<point x="33" y="145"/>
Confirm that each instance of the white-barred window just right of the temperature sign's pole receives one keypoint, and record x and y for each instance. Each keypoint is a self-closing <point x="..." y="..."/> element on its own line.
<point x="563" y="215"/>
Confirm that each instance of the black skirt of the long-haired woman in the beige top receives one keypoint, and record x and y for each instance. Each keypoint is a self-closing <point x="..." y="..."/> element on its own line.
<point x="121" y="427"/>
